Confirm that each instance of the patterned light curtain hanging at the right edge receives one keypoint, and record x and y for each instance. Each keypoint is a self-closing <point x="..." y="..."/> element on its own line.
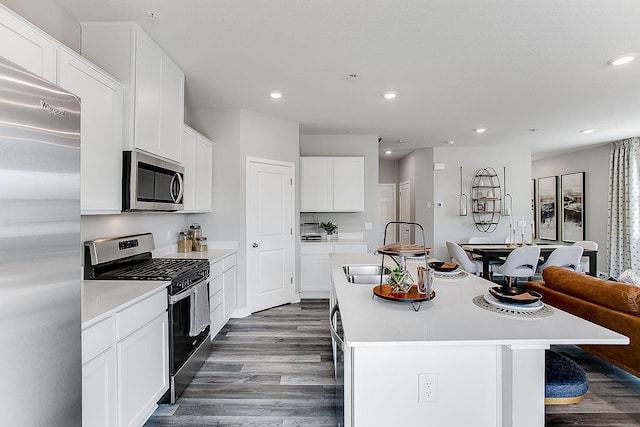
<point x="623" y="234"/>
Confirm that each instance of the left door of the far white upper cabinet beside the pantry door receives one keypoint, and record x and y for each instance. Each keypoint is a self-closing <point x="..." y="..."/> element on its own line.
<point x="316" y="184"/>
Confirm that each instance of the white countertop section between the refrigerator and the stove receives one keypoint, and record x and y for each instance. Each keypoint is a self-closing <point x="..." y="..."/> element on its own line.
<point x="101" y="298"/>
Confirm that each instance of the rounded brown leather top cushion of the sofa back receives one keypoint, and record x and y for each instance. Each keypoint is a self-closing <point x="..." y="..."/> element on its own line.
<point x="617" y="296"/>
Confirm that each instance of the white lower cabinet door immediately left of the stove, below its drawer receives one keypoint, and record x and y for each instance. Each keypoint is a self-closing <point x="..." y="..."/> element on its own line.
<point x="143" y="371"/>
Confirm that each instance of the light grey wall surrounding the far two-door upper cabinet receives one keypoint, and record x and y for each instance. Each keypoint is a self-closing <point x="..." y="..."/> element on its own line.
<point x="351" y="145"/>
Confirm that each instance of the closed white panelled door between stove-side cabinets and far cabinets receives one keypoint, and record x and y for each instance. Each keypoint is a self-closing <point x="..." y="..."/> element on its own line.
<point x="270" y="212"/>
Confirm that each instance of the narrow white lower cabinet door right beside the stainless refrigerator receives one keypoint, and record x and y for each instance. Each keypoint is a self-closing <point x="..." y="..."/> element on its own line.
<point x="99" y="390"/>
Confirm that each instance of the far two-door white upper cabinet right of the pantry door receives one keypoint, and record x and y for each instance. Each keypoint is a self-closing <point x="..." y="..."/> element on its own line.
<point x="332" y="184"/>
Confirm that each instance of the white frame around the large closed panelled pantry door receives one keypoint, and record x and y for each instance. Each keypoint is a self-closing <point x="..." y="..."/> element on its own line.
<point x="247" y="240"/>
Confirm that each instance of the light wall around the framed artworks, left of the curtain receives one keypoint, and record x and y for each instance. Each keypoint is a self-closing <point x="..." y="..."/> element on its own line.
<point x="595" y="163"/>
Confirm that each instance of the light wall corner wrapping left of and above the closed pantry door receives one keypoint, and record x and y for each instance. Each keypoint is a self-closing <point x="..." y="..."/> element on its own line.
<point x="236" y="135"/>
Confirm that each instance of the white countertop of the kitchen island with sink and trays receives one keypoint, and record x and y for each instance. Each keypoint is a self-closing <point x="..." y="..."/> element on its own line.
<point x="451" y="318"/>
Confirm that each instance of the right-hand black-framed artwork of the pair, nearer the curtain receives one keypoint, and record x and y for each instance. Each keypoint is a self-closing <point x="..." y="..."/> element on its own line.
<point x="572" y="216"/>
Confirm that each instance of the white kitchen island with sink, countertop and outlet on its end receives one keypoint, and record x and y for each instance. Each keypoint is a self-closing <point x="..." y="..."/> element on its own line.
<point x="482" y="368"/>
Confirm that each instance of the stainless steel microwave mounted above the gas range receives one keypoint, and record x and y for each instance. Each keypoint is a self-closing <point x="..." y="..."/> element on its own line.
<point x="150" y="183"/>
